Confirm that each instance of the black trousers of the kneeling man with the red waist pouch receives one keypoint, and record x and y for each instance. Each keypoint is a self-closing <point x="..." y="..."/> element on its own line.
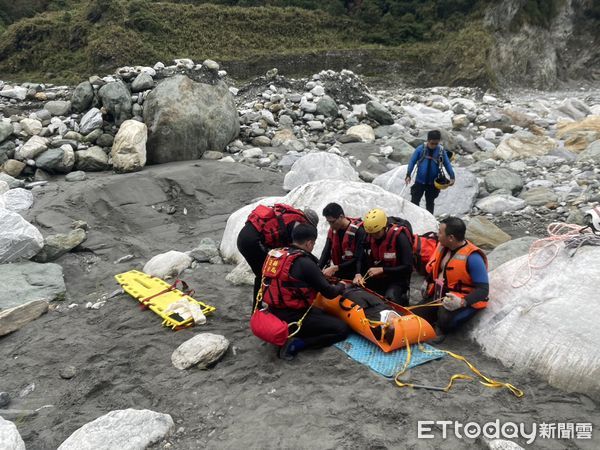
<point x="318" y="329"/>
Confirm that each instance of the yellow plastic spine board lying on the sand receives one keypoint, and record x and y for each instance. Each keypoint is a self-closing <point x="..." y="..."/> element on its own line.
<point x="142" y="286"/>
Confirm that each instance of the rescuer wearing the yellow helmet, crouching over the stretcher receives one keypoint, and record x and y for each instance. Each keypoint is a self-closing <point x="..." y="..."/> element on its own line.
<point x="389" y="257"/>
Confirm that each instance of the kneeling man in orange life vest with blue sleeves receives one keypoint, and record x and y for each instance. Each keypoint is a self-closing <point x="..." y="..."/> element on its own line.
<point x="458" y="271"/>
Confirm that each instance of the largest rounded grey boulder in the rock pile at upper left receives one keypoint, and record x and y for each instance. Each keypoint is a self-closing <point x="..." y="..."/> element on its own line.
<point x="186" y="118"/>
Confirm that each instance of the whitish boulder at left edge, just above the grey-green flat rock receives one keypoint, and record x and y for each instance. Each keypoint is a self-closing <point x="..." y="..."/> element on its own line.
<point x="18" y="238"/>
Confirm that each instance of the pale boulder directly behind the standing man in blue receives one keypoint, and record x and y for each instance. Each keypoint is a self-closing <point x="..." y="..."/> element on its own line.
<point x="456" y="200"/>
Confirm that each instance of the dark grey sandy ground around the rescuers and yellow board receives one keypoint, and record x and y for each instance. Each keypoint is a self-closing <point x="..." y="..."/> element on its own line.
<point x="250" y="398"/>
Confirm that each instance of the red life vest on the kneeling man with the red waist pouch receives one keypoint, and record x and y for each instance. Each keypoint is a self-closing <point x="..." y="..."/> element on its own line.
<point x="280" y="289"/>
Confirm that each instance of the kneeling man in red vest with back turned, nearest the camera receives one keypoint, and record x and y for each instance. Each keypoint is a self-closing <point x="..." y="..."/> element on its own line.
<point x="294" y="287"/>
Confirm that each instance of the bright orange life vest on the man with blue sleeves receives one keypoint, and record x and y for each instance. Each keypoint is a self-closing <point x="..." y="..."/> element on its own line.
<point x="456" y="274"/>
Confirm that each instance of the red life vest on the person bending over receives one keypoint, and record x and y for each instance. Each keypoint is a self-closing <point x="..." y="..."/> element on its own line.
<point x="272" y="222"/>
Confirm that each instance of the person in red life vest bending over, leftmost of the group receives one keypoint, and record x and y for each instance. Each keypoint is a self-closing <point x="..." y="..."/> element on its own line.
<point x="269" y="227"/>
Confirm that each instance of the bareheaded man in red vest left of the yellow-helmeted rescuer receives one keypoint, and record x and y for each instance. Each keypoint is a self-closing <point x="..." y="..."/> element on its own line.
<point x="344" y="244"/>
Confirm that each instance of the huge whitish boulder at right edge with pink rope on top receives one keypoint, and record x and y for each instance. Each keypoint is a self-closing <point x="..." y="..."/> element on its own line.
<point x="546" y="320"/>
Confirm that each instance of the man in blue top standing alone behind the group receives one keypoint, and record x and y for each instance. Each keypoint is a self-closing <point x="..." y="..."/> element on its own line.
<point x="429" y="159"/>
